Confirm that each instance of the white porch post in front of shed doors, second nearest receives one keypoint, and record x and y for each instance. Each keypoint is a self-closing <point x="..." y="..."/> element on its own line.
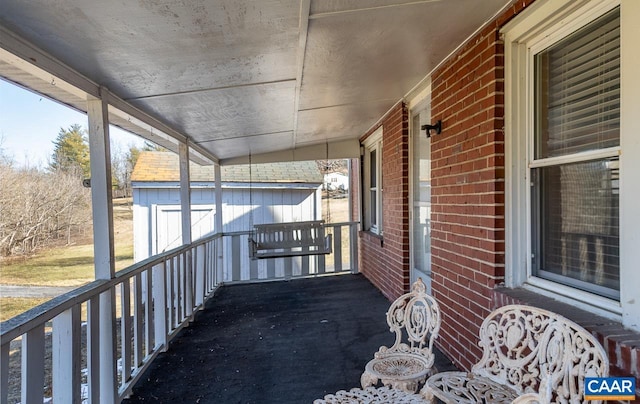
<point x="185" y="208"/>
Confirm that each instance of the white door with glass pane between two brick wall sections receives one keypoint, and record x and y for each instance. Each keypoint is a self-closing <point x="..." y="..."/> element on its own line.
<point x="421" y="196"/>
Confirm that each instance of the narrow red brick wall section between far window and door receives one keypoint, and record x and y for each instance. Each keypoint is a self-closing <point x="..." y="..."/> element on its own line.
<point x="385" y="260"/>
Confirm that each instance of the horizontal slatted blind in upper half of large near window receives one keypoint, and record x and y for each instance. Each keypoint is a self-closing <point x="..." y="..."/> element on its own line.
<point x="578" y="90"/>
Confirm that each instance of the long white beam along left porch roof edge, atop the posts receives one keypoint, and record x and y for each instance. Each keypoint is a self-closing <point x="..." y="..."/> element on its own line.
<point x="34" y="61"/>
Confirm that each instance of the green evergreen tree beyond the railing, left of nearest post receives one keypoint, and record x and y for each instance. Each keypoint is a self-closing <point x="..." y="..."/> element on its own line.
<point x="71" y="152"/>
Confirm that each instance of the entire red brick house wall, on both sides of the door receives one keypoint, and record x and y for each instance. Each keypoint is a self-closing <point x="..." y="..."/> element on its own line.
<point x="468" y="237"/>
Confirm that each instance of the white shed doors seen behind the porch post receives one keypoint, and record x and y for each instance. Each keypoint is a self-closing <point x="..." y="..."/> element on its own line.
<point x="167" y="227"/>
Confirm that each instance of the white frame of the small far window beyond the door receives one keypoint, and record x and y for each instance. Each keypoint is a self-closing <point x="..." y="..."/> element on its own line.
<point x="373" y="143"/>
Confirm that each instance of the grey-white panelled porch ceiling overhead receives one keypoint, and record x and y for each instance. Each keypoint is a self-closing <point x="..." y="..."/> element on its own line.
<point x="242" y="76"/>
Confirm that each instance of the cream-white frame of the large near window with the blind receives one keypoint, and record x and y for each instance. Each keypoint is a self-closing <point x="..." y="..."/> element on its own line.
<point x="542" y="24"/>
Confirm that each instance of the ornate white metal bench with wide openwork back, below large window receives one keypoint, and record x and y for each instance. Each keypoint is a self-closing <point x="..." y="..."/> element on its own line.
<point x="529" y="355"/>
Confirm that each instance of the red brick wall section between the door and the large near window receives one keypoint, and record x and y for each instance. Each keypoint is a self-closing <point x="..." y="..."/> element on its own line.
<point x="468" y="188"/>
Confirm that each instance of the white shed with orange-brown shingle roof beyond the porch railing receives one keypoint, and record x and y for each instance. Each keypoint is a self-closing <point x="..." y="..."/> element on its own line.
<point x="260" y="193"/>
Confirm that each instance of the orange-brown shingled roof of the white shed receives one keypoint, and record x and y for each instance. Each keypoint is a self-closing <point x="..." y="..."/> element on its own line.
<point x="164" y="167"/>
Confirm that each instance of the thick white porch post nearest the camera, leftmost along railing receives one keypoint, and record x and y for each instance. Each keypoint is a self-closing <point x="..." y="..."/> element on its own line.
<point x="101" y="202"/>
